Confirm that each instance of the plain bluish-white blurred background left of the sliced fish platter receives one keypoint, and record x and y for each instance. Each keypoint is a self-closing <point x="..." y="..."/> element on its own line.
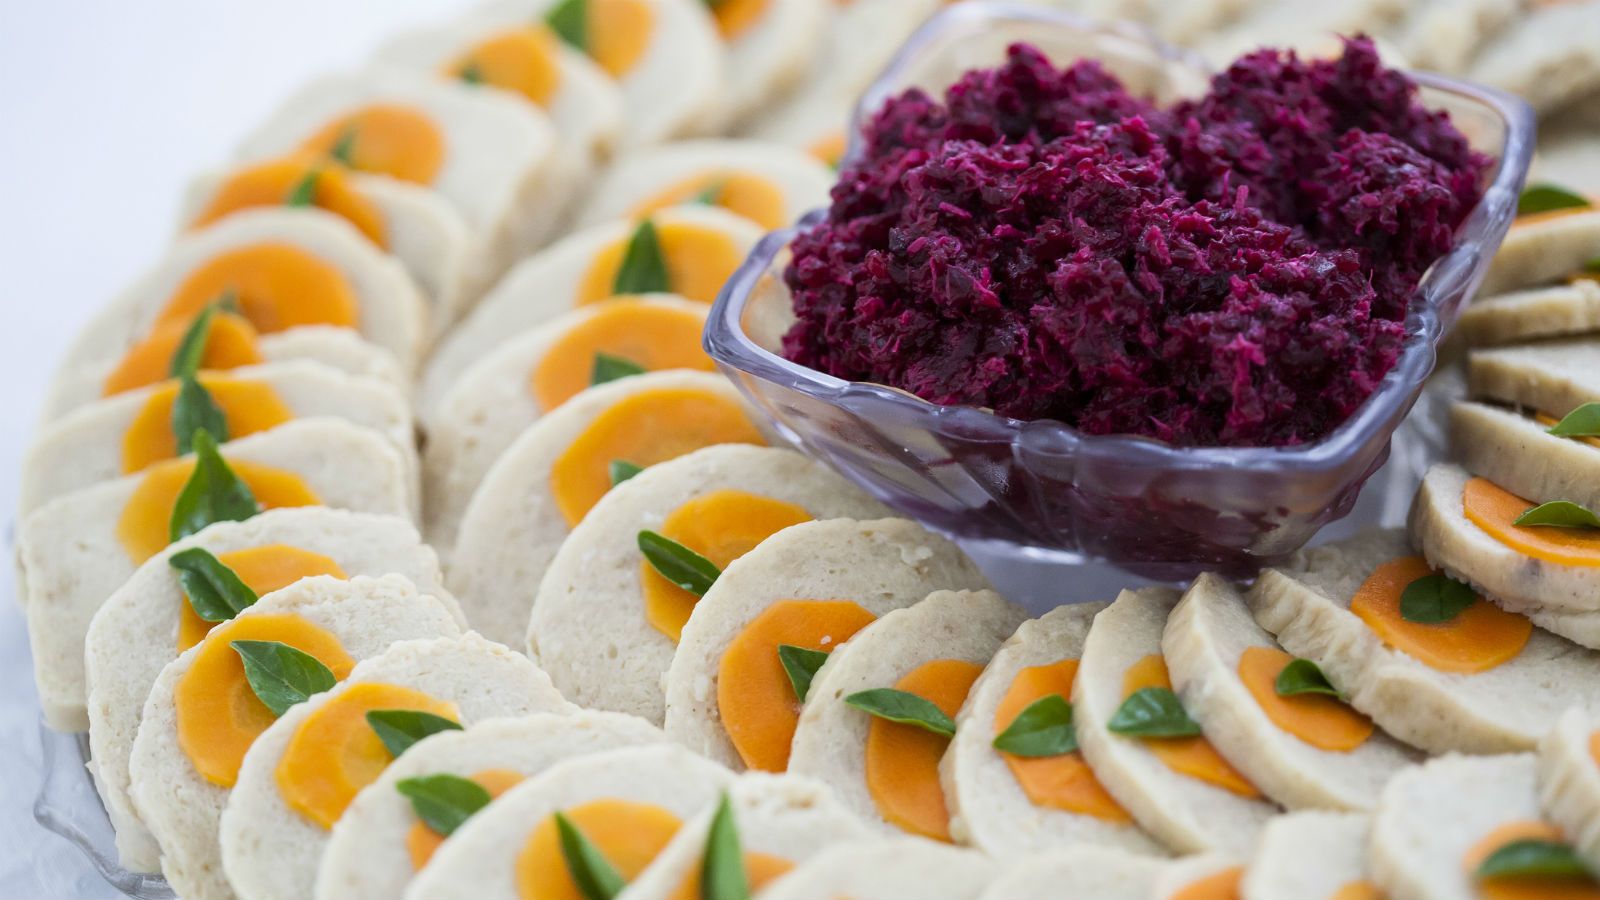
<point x="106" y="110"/>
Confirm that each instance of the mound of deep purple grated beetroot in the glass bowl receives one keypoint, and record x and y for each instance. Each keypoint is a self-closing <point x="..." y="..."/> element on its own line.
<point x="1230" y="271"/>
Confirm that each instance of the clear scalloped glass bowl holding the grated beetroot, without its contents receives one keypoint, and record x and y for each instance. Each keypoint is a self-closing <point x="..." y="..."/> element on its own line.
<point x="1041" y="488"/>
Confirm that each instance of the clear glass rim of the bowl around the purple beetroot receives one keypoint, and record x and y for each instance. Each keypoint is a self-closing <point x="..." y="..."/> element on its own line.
<point x="729" y="344"/>
